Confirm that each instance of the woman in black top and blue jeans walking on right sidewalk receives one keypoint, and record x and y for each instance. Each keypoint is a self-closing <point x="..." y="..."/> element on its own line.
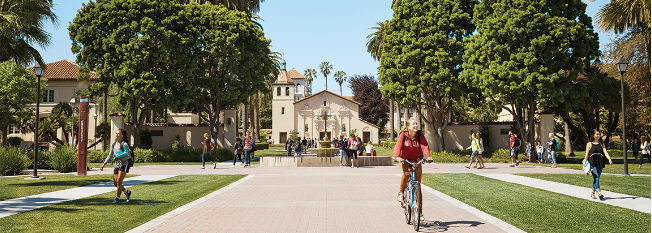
<point x="595" y="154"/>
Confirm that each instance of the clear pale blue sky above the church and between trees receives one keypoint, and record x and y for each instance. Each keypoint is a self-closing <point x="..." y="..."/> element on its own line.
<point x="305" y="32"/>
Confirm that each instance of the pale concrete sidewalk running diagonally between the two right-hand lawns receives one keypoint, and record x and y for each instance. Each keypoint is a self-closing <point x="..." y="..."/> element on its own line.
<point x="610" y="198"/>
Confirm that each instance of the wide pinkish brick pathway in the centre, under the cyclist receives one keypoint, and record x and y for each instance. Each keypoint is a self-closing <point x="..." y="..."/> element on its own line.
<point x="317" y="200"/>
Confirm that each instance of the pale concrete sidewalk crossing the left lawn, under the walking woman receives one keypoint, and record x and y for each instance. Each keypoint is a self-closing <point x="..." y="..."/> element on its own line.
<point x="14" y="206"/>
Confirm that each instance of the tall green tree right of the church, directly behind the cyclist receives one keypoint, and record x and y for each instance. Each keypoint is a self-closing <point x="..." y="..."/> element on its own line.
<point x="422" y="57"/>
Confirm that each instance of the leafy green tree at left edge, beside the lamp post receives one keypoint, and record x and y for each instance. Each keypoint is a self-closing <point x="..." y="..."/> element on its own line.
<point x="17" y="90"/>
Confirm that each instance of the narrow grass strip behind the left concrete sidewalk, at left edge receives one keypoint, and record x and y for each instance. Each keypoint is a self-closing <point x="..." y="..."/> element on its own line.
<point x="15" y="187"/>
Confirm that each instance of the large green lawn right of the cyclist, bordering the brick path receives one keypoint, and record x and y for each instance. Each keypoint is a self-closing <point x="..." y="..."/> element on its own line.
<point x="536" y="210"/>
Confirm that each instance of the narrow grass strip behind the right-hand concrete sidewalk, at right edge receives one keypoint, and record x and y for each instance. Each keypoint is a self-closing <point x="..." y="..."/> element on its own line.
<point x="632" y="185"/>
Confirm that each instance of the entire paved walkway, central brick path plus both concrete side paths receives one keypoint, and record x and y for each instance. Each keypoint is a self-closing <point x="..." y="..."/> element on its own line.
<point x="328" y="199"/>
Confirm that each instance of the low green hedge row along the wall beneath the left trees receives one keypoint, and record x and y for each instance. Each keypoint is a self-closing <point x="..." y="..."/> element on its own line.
<point x="182" y="154"/>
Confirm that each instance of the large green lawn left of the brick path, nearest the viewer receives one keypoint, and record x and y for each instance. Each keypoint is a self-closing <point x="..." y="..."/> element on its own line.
<point x="97" y="214"/>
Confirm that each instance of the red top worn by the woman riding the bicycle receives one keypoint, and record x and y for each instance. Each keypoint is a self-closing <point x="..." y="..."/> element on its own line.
<point x="411" y="149"/>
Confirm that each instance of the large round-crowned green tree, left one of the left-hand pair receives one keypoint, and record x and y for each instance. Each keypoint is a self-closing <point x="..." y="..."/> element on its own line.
<point x="144" y="47"/>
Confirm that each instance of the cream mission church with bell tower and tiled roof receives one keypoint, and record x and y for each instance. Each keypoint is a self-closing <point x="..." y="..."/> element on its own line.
<point x="322" y="114"/>
